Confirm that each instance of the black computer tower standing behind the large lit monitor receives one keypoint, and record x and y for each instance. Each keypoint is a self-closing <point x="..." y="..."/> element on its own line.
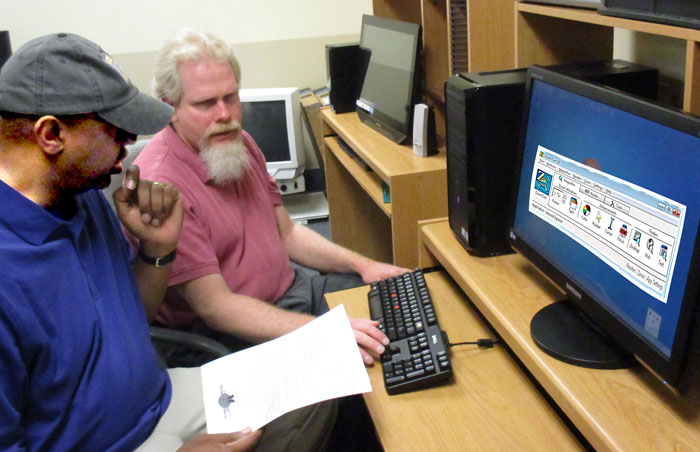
<point x="483" y="121"/>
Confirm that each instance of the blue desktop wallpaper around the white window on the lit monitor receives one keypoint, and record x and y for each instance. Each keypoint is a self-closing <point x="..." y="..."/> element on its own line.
<point x="628" y="147"/>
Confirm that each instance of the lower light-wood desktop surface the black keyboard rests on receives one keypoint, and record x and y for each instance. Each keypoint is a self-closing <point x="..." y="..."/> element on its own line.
<point x="490" y="405"/>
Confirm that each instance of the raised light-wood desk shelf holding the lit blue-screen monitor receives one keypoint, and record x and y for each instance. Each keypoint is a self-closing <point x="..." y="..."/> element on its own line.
<point x="616" y="410"/>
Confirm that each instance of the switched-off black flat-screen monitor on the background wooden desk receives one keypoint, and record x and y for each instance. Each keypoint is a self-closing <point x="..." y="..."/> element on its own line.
<point x="393" y="80"/>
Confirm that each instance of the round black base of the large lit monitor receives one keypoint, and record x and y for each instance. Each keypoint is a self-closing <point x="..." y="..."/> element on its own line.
<point x="563" y="332"/>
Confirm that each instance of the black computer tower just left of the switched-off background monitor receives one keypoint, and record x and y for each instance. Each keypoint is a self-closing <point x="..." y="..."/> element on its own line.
<point x="346" y="65"/>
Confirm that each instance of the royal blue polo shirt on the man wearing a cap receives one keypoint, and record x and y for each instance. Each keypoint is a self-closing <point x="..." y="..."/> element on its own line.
<point x="77" y="369"/>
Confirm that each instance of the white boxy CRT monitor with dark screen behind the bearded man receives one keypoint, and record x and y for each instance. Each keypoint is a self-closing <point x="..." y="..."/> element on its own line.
<point x="272" y="116"/>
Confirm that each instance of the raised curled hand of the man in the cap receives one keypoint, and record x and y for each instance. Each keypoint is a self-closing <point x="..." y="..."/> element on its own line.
<point x="151" y="211"/>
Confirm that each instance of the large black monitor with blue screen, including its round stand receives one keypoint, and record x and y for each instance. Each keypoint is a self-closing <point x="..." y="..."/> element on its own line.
<point x="608" y="207"/>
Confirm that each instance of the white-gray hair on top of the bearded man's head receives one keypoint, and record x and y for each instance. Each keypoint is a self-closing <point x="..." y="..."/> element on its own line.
<point x="188" y="45"/>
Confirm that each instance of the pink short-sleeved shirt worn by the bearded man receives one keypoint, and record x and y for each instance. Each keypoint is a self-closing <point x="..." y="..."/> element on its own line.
<point x="231" y="230"/>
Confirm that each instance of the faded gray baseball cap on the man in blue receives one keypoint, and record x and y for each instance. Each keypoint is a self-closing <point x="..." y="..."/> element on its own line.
<point x="65" y="74"/>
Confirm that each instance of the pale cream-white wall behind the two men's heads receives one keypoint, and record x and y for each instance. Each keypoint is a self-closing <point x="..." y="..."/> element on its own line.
<point x="278" y="42"/>
